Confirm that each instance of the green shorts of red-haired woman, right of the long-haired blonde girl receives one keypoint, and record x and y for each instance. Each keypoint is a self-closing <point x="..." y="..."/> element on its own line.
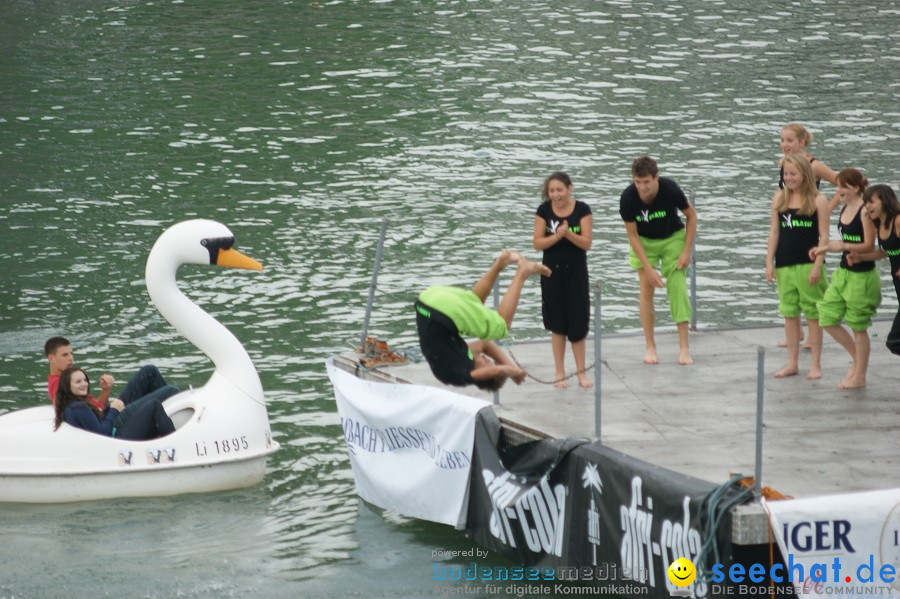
<point x="853" y="297"/>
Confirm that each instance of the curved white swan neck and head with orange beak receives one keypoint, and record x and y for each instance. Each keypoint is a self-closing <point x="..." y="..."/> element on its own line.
<point x="205" y="242"/>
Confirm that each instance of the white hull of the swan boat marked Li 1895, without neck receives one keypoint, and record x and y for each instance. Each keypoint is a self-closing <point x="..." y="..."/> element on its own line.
<point x="221" y="443"/>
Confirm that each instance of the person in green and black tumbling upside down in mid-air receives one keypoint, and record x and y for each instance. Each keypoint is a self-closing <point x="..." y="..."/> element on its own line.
<point x="444" y="315"/>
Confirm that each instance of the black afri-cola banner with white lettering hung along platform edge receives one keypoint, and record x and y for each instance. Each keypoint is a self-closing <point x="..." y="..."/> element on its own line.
<point x="585" y="511"/>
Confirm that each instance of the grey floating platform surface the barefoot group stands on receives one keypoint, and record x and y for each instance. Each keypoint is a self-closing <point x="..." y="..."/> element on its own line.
<point x="701" y="419"/>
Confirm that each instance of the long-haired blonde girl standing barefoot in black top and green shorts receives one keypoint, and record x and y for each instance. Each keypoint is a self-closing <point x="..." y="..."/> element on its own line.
<point x="798" y="225"/>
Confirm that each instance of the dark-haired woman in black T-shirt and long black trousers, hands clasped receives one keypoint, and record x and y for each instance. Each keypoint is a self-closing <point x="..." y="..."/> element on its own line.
<point x="563" y="230"/>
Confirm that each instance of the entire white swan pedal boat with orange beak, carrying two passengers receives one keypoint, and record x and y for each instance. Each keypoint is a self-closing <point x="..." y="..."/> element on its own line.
<point x="222" y="436"/>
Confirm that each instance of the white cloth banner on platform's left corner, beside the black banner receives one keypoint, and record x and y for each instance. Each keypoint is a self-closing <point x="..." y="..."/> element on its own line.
<point x="410" y="445"/>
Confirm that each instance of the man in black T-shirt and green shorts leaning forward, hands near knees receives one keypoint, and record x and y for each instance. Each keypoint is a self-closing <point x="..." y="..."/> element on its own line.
<point x="658" y="237"/>
